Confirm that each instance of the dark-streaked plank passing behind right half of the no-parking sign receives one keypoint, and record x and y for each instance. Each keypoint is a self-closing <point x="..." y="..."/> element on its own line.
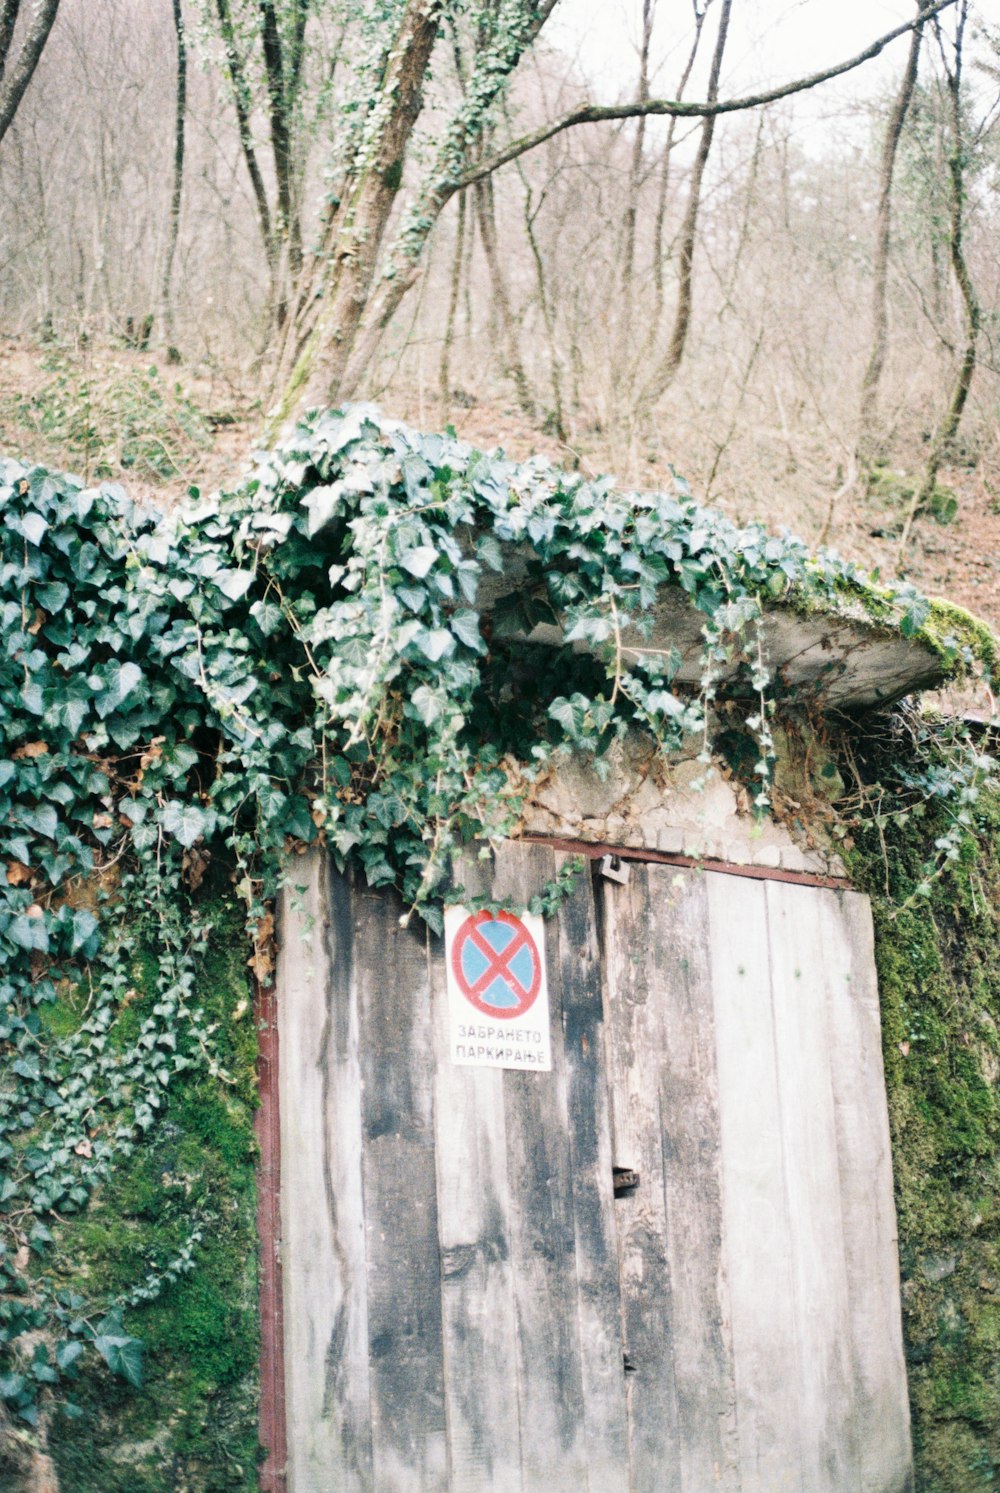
<point x="543" y="1229"/>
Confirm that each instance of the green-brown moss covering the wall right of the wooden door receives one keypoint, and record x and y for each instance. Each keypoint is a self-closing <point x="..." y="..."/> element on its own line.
<point x="940" y="980"/>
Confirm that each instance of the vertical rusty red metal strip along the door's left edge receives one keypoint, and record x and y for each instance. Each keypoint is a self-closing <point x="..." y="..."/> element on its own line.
<point x="272" y="1362"/>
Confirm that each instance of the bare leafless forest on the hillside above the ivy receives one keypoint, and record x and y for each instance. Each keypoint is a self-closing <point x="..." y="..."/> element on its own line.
<point x="220" y="210"/>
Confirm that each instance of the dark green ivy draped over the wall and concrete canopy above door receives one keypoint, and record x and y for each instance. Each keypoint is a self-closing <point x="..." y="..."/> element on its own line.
<point x="340" y="650"/>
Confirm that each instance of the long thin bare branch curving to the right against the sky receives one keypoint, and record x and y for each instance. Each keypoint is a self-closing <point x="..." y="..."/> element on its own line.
<point x="675" y="108"/>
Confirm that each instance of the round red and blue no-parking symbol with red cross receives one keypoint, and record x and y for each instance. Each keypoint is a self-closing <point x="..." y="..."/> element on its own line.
<point x="496" y="965"/>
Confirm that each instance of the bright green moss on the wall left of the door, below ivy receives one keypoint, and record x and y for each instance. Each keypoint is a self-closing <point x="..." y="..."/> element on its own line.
<point x="193" y="1425"/>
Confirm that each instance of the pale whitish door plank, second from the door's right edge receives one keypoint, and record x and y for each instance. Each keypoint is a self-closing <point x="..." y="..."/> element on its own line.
<point x="813" y="1188"/>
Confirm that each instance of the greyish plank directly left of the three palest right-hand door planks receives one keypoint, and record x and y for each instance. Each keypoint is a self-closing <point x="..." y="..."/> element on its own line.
<point x="704" y="1370"/>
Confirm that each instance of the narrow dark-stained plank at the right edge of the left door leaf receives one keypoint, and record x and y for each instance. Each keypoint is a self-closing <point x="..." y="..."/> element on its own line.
<point x="599" y="1297"/>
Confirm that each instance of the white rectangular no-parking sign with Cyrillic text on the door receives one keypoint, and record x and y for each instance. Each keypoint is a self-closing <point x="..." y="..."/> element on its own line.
<point x="498" y="991"/>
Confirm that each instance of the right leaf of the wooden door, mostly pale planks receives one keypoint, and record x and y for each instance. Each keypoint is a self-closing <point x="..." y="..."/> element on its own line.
<point x="759" y="1267"/>
